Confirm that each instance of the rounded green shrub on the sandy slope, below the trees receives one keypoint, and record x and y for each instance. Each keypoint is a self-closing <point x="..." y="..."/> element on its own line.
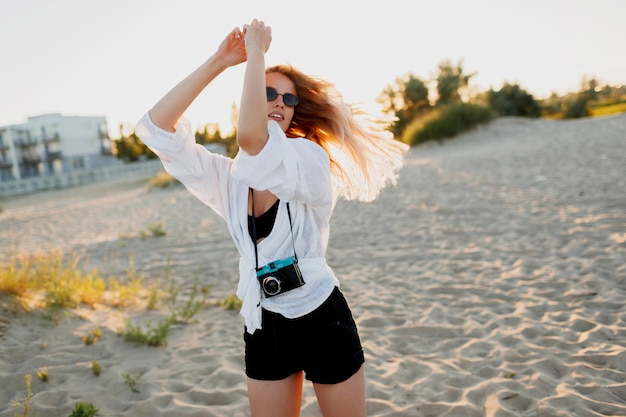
<point x="447" y="122"/>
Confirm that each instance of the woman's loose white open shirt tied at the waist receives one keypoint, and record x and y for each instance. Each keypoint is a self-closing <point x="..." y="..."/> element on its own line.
<point x="296" y="171"/>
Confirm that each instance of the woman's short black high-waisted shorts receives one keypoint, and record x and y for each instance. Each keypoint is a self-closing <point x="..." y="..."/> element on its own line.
<point x="324" y="344"/>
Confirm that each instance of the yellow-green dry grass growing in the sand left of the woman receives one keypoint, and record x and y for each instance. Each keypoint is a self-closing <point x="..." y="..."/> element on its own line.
<point x="56" y="282"/>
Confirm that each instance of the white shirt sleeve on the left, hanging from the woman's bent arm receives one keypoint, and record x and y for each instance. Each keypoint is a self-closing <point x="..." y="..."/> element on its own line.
<point x="205" y="174"/>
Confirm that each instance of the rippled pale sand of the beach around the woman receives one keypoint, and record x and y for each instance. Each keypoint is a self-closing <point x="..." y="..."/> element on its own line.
<point x="491" y="282"/>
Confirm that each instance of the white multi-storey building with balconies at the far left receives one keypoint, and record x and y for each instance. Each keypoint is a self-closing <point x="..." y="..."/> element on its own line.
<point x="53" y="144"/>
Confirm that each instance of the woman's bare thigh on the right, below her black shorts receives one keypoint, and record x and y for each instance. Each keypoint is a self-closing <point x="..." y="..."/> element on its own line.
<point x="346" y="399"/>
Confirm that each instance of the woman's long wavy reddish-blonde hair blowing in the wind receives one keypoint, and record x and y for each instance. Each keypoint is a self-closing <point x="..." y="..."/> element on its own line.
<point x="364" y="156"/>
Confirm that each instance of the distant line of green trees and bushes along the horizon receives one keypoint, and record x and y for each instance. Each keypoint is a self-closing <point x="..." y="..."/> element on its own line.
<point x="438" y="108"/>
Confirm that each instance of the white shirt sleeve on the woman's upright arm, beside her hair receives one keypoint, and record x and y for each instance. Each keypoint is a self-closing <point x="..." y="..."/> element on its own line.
<point x="294" y="169"/>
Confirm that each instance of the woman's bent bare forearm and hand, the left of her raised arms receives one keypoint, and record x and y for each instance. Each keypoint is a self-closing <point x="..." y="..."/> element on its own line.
<point x="168" y="110"/>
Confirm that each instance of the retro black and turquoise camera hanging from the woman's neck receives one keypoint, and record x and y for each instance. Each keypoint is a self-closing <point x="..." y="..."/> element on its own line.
<point x="280" y="276"/>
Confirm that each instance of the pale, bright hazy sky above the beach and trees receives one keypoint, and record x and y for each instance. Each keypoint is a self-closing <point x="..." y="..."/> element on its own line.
<point x="116" y="58"/>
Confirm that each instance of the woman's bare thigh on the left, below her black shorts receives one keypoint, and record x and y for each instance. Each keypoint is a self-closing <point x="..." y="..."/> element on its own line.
<point x="276" y="398"/>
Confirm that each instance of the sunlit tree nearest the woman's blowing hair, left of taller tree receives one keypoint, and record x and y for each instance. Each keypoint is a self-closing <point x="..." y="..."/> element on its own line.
<point x="406" y="100"/>
